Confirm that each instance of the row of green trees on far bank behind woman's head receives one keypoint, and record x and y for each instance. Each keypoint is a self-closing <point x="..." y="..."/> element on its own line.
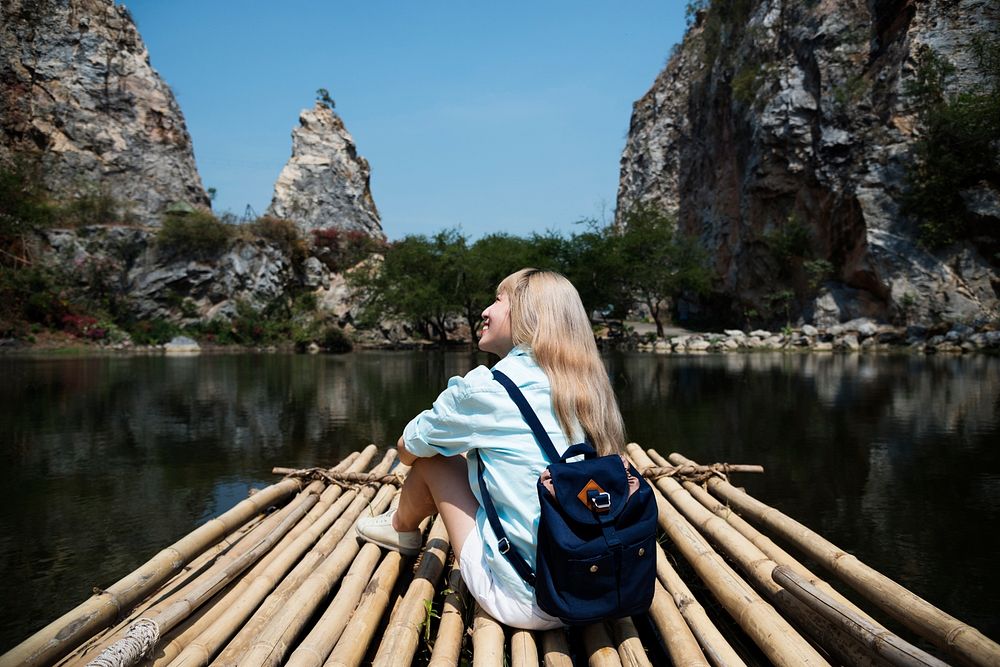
<point x="425" y="280"/>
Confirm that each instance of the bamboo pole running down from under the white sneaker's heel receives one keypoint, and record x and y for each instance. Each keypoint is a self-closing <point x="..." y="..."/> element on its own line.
<point x="352" y="646"/>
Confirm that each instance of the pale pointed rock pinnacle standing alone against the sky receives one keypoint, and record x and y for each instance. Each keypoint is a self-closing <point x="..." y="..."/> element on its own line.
<point x="325" y="184"/>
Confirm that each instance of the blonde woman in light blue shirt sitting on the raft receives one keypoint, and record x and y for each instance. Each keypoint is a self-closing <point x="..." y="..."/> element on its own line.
<point x="539" y="328"/>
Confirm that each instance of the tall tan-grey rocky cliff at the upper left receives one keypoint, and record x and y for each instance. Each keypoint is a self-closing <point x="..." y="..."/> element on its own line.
<point x="77" y="91"/>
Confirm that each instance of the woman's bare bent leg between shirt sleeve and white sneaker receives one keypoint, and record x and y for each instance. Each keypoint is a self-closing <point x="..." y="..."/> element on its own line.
<point x="438" y="484"/>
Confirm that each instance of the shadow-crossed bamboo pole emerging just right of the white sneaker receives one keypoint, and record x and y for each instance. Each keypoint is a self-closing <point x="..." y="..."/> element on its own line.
<point x="403" y="633"/>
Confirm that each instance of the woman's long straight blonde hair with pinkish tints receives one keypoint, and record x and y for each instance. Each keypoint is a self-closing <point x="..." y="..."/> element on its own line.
<point x="546" y="314"/>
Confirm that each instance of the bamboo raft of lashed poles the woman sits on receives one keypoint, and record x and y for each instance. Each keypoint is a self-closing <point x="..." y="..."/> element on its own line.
<point x="281" y="579"/>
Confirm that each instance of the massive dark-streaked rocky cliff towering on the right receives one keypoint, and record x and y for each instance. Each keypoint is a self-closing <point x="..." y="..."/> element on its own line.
<point x="780" y="133"/>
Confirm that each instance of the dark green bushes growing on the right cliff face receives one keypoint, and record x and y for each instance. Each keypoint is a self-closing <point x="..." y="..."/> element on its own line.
<point x="956" y="150"/>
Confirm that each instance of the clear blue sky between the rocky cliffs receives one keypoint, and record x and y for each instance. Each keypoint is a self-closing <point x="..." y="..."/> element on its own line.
<point x="484" y="116"/>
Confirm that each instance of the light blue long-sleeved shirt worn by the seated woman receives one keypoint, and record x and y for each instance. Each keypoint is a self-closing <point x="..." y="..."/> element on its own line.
<point x="475" y="414"/>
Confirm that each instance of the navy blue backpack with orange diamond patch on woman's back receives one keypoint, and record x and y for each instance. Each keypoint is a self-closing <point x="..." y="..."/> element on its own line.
<point x="596" y="553"/>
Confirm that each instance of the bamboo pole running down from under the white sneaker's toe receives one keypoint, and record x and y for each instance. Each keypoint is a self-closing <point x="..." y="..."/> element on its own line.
<point x="314" y="649"/>
